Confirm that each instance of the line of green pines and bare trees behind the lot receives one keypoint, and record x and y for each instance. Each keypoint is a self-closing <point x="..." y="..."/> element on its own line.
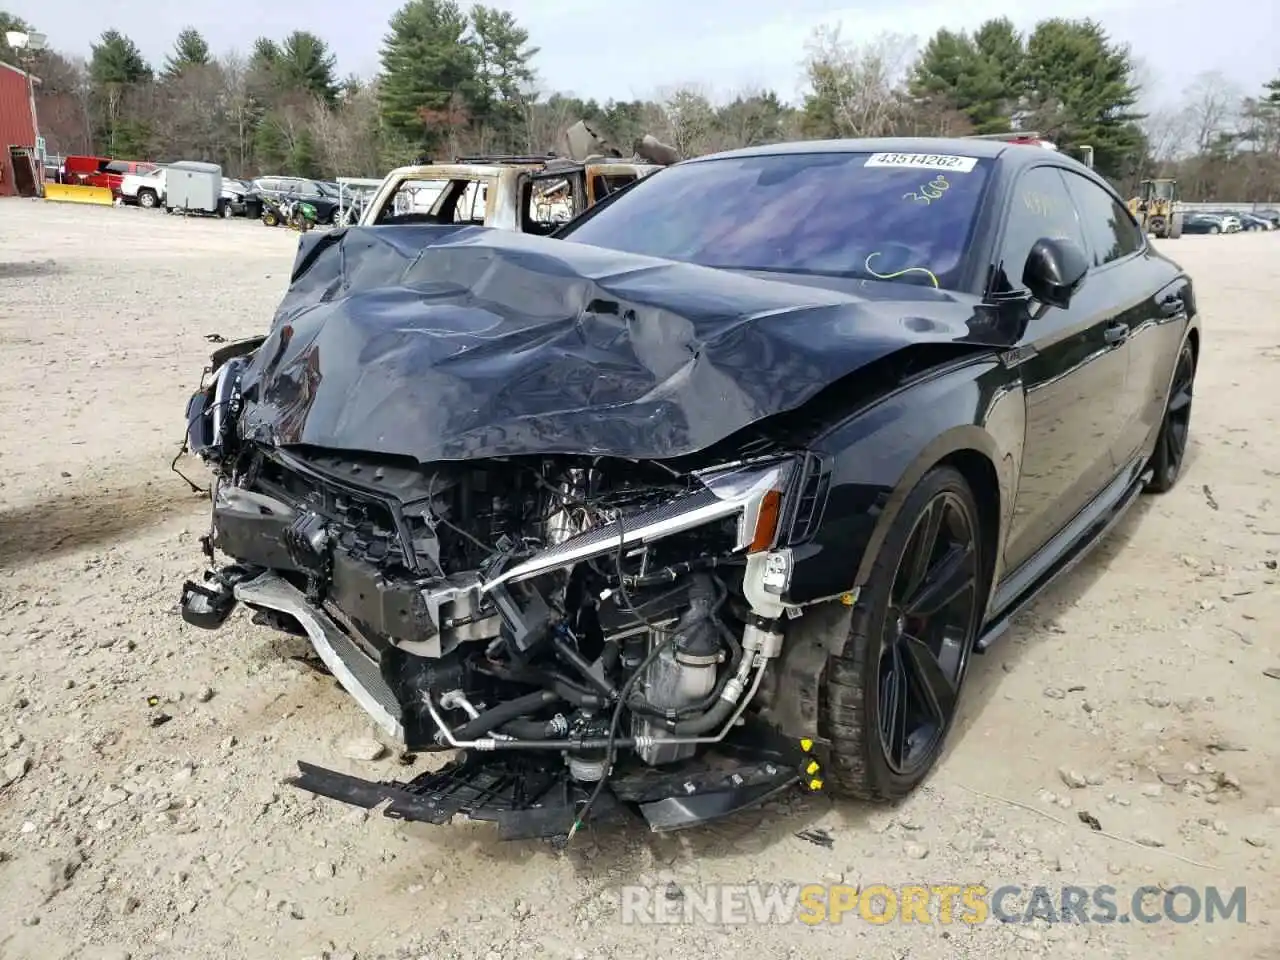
<point x="458" y="81"/>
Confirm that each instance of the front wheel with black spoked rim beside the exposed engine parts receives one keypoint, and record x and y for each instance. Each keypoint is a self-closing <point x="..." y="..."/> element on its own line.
<point x="892" y="693"/>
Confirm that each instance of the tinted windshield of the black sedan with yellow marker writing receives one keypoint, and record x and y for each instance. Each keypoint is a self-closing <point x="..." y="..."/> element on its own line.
<point x="904" y="217"/>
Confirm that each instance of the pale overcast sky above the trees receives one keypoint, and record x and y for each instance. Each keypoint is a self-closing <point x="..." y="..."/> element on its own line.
<point x="630" y="49"/>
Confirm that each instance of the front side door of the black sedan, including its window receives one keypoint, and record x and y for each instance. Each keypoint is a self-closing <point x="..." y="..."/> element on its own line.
<point x="1073" y="371"/>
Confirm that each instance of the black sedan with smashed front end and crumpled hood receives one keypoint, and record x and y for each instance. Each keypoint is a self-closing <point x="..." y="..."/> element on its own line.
<point x="714" y="495"/>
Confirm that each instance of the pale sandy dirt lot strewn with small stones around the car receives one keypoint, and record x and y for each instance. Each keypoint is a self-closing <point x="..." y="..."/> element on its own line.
<point x="1141" y="679"/>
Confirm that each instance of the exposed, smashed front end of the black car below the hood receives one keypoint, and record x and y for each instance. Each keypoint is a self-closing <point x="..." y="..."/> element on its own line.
<point x="574" y="620"/>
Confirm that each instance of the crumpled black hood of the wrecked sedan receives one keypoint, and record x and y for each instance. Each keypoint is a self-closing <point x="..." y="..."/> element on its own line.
<point x="455" y="344"/>
